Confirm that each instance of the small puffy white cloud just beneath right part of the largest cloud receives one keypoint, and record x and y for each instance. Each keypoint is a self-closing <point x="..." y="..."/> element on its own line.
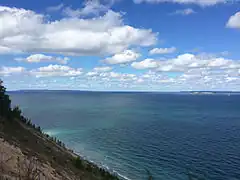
<point x="126" y="56"/>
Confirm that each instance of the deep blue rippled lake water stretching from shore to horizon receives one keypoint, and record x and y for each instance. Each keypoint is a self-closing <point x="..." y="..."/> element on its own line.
<point x="168" y="134"/>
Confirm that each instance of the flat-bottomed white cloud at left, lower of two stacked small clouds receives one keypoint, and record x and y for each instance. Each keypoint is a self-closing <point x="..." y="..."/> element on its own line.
<point x="56" y="70"/>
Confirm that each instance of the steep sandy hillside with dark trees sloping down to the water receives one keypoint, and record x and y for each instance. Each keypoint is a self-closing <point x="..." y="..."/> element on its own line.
<point x="28" y="154"/>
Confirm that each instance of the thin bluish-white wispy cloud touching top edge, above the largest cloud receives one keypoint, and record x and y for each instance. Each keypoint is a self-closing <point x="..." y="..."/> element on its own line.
<point x="91" y="7"/>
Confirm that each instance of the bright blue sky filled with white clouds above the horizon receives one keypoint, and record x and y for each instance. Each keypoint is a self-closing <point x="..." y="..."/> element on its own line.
<point x="120" y="45"/>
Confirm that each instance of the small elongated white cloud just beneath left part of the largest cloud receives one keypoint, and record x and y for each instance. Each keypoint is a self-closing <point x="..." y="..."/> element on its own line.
<point x="37" y="58"/>
